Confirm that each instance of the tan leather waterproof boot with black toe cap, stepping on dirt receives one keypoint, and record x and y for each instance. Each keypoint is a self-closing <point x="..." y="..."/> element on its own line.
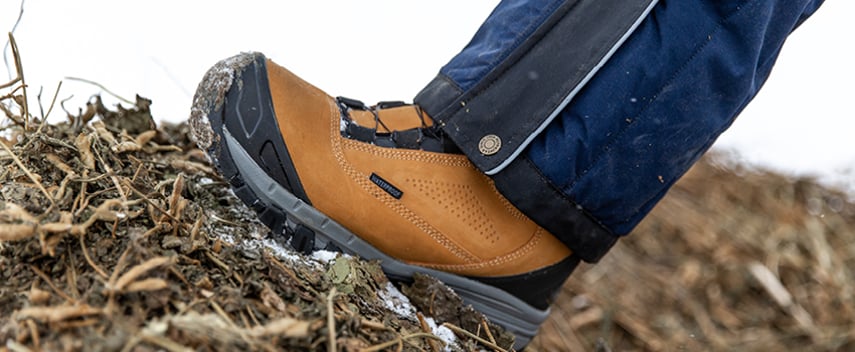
<point x="379" y="182"/>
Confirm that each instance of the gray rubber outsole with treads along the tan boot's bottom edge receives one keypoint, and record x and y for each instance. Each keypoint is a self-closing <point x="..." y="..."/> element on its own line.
<point x="499" y="306"/>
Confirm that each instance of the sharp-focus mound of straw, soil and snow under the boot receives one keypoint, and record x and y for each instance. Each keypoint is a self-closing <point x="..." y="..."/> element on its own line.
<point x="116" y="235"/>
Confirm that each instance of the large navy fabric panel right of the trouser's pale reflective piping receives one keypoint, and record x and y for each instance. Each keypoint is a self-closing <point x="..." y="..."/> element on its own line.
<point x="661" y="102"/>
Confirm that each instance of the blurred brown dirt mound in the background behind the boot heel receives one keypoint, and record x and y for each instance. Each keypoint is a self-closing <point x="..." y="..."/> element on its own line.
<point x="731" y="259"/>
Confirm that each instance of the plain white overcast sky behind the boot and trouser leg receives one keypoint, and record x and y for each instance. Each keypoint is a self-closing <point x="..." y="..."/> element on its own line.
<point x="802" y="122"/>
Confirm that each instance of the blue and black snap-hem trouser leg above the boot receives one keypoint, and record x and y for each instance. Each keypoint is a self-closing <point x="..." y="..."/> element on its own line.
<point x="585" y="113"/>
